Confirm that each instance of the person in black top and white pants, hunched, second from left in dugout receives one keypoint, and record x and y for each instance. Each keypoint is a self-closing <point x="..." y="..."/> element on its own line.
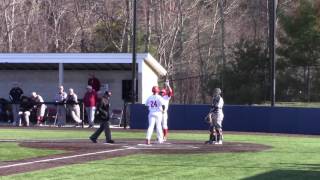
<point x="25" y="110"/>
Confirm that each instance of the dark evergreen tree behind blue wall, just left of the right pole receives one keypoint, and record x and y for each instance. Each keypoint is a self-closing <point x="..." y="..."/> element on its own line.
<point x="246" y="79"/>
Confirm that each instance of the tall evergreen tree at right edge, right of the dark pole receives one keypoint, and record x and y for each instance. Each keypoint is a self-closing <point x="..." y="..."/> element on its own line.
<point x="300" y="40"/>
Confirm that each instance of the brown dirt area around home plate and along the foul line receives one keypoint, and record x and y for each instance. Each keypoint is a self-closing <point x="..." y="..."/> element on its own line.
<point x="81" y="151"/>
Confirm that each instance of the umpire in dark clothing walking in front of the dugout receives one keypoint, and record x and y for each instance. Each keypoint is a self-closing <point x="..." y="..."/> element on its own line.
<point x="102" y="113"/>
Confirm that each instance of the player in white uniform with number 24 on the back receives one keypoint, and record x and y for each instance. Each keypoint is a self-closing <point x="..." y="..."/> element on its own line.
<point x="155" y="105"/>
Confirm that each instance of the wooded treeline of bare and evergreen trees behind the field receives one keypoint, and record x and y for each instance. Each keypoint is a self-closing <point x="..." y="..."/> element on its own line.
<point x="202" y="43"/>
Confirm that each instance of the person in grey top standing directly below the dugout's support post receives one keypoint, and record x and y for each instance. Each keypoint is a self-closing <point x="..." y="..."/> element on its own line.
<point x="60" y="99"/>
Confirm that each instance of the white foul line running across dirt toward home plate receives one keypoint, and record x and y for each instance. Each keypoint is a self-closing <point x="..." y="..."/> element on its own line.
<point x="61" y="158"/>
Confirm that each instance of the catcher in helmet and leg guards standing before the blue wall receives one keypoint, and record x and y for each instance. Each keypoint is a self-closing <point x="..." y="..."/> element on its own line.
<point x="215" y="118"/>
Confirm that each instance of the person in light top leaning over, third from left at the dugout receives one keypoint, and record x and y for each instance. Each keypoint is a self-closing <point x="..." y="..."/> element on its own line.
<point x="40" y="107"/>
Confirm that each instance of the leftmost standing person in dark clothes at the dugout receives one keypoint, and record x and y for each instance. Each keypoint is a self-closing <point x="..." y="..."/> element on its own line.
<point x="15" y="98"/>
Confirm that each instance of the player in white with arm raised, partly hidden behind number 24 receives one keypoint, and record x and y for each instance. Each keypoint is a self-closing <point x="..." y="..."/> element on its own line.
<point x="166" y="94"/>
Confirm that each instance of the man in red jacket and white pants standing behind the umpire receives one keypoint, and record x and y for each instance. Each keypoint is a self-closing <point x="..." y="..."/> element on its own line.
<point x="90" y="102"/>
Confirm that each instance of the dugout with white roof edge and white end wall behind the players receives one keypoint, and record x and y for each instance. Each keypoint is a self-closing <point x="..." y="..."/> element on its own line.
<point x="43" y="72"/>
